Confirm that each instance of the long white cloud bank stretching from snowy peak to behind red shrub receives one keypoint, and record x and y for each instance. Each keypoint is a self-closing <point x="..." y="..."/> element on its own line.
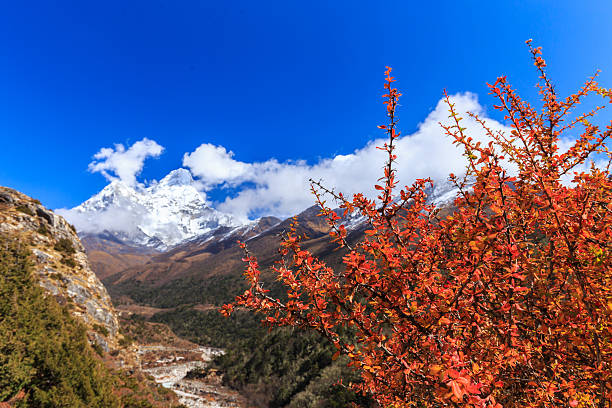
<point x="282" y="189"/>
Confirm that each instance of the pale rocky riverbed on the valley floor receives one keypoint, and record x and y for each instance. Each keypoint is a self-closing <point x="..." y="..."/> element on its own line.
<point x="169" y="366"/>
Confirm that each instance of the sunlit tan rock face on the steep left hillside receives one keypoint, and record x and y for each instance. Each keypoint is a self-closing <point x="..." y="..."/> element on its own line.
<point x="60" y="263"/>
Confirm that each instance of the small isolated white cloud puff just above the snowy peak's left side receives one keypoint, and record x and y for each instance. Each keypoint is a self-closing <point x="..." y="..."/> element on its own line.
<point x="123" y="164"/>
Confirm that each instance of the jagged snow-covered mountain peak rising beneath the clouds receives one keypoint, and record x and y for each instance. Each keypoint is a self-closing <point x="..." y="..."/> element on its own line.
<point x="161" y="215"/>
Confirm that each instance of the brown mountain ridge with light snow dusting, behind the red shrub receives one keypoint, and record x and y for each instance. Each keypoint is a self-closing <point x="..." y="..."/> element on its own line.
<point x="207" y="269"/>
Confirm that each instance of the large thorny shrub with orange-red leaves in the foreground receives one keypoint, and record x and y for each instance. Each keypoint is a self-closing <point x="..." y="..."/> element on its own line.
<point x="506" y="302"/>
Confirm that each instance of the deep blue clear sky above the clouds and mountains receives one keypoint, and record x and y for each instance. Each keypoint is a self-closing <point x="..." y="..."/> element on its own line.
<point x="266" y="80"/>
